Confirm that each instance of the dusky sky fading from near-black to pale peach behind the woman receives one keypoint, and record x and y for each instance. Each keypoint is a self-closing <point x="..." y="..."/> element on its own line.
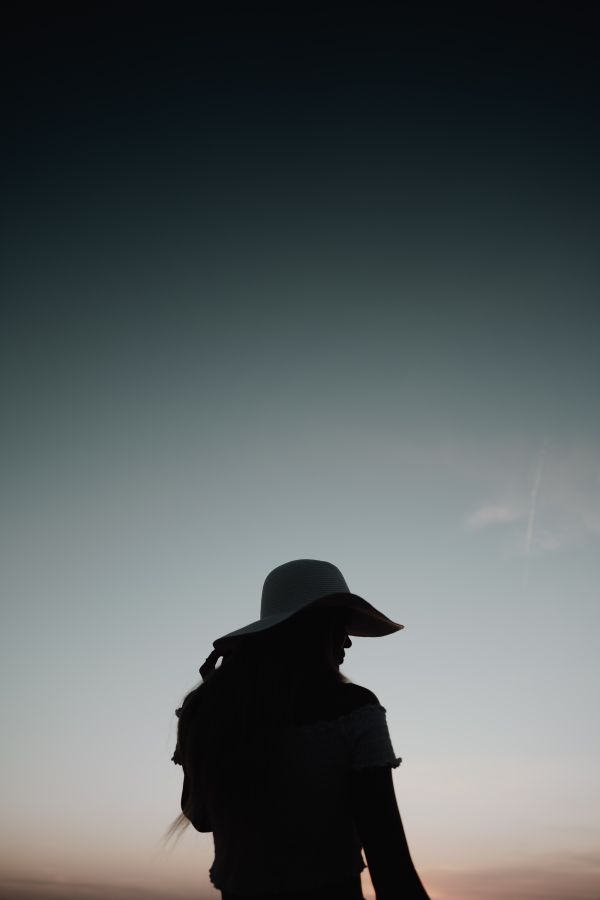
<point x="302" y="286"/>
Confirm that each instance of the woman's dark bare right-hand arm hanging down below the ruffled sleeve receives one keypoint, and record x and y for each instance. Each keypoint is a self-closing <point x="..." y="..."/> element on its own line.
<point x="381" y="832"/>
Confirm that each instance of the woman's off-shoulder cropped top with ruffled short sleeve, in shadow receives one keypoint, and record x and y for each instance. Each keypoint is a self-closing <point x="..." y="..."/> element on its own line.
<point x="297" y="832"/>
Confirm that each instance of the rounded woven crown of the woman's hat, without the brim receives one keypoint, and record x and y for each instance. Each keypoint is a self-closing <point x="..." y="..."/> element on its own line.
<point x="295" y="584"/>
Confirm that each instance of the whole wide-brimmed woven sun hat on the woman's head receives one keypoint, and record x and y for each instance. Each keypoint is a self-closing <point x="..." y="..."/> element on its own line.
<point x="302" y="584"/>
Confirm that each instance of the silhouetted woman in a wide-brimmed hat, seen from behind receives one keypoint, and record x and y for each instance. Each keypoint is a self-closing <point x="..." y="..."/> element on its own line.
<point x="286" y="761"/>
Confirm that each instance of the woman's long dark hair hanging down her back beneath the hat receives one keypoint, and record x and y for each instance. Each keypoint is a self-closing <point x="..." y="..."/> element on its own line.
<point x="253" y="693"/>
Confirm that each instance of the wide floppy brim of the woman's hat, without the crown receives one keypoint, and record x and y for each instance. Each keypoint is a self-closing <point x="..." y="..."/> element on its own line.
<point x="365" y="621"/>
